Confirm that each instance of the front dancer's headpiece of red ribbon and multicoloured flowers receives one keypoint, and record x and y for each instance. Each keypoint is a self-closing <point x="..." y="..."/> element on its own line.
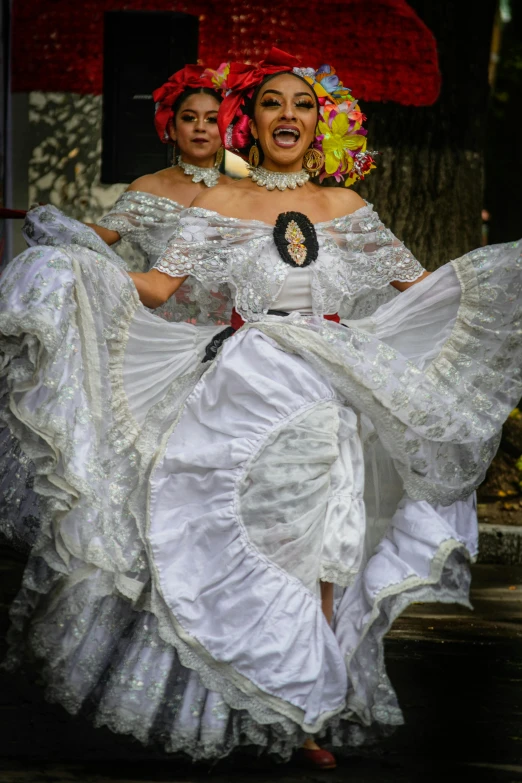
<point x="339" y="135"/>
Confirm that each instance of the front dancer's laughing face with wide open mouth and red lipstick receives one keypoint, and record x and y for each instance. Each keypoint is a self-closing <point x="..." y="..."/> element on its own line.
<point x="284" y="122"/>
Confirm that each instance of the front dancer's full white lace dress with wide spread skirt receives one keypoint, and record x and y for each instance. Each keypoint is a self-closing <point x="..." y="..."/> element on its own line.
<point x="191" y="508"/>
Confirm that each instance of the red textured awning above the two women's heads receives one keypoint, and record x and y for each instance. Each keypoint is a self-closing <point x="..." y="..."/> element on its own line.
<point x="380" y="48"/>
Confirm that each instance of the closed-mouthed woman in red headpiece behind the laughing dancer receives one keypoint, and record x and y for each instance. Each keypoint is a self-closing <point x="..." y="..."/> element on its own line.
<point x="147" y="213"/>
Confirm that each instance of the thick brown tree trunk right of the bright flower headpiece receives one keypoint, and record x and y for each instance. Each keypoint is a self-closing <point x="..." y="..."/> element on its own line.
<point x="428" y="187"/>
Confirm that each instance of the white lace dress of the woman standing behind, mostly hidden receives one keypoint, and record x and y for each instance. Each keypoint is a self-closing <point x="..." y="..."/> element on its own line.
<point x="145" y="223"/>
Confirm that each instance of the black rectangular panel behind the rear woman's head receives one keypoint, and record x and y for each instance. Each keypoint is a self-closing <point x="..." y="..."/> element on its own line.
<point x="141" y="50"/>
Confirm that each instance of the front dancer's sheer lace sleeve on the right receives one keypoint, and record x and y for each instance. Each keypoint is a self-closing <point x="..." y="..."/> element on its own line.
<point x="374" y="256"/>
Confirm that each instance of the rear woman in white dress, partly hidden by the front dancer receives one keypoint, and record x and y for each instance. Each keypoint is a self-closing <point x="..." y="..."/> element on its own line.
<point x="146" y="216"/>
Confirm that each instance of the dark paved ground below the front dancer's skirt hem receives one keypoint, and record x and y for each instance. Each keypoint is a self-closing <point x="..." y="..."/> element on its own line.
<point x="458" y="675"/>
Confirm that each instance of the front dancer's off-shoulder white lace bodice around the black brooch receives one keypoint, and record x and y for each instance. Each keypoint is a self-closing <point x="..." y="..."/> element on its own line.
<point x="357" y="255"/>
